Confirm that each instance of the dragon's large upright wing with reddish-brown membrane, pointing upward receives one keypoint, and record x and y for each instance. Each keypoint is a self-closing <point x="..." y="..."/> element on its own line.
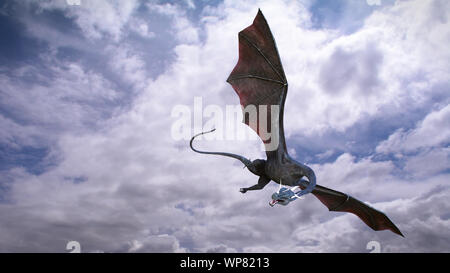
<point x="259" y="80"/>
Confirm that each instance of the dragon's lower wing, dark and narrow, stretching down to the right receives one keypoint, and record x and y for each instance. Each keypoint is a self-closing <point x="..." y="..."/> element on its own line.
<point x="338" y="201"/>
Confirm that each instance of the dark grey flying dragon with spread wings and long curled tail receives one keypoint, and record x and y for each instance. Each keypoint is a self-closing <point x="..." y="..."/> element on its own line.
<point x="259" y="80"/>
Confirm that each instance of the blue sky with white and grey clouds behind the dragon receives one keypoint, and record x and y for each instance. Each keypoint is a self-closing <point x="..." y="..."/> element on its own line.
<point x="88" y="153"/>
